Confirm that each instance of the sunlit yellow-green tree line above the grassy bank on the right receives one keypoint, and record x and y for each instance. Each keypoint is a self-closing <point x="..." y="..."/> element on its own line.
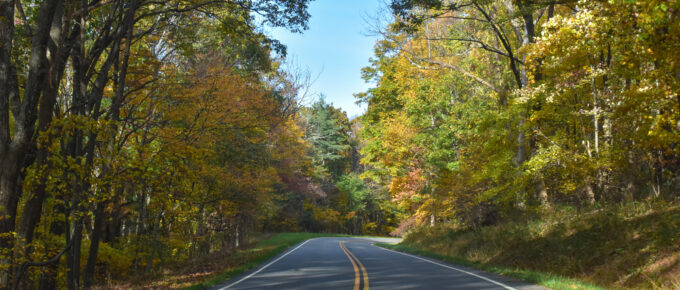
<point x="486" y="109"/>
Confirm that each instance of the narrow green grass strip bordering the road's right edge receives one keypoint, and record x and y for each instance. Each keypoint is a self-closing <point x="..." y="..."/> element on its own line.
<point x="543" y="279"/>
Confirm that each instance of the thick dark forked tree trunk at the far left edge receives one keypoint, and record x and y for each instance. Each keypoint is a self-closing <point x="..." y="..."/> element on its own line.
<point x="12" y="153"/>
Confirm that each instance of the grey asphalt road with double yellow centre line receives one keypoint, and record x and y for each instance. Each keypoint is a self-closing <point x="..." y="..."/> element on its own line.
<point x="357" y="264"/>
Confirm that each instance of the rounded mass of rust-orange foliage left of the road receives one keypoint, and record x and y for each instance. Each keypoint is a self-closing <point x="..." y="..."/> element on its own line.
<point x="220" y="134"/>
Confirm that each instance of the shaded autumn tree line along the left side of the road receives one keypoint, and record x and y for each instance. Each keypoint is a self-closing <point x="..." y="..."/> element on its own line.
<point x="137" y="133"/>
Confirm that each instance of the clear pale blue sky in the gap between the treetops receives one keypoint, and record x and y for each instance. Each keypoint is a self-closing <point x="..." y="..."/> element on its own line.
<point x="334" y="49"/>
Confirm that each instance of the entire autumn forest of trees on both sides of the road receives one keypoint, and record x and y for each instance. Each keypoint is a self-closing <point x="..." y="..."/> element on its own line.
<point x="140" y="134"/>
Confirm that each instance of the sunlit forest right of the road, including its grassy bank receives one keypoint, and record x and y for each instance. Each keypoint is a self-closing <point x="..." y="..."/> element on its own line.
<point x="540" y="135"/>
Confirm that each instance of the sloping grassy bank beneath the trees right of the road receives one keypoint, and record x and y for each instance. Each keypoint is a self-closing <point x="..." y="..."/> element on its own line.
<point x="629" y="246"/>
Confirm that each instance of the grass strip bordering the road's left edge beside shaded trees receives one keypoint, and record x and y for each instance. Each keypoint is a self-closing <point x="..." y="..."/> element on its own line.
<point x="264" y="250"/>
